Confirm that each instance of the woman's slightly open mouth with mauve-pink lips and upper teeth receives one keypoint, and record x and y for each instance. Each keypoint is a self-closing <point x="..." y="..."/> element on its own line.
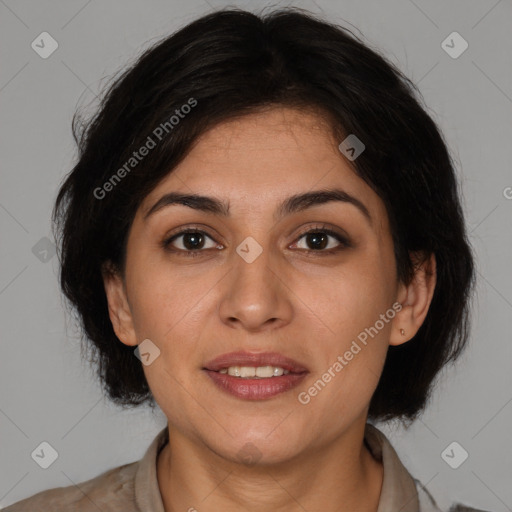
<point x="255" y="376"/>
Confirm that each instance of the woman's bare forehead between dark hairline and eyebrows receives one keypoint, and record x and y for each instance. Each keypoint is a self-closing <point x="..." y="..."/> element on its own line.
<point x="256" y="161"/>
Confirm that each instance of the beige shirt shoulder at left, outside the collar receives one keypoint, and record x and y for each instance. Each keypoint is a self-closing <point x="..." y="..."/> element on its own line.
<point x="111" y="491"/>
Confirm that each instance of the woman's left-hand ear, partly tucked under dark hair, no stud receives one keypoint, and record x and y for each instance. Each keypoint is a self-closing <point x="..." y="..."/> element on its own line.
<point x="118" y="306"/>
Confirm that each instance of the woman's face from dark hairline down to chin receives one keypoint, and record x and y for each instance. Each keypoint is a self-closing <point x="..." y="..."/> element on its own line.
<point x="251" y="286"/>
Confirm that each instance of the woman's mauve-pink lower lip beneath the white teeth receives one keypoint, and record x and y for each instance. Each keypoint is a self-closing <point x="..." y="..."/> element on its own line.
<point x="255" y="389"/>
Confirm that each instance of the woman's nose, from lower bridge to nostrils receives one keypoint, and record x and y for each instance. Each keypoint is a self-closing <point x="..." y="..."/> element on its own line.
<point x="255" y="296"/>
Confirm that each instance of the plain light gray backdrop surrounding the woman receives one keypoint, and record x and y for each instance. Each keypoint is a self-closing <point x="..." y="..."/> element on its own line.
<point x="49" y="394"/>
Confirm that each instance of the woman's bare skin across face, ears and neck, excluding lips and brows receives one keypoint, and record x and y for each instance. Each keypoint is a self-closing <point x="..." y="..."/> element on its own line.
<point x="307" y="307"/>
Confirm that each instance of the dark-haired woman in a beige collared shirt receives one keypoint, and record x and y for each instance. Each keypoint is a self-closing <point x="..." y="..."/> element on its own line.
<point x="263" y="236"/>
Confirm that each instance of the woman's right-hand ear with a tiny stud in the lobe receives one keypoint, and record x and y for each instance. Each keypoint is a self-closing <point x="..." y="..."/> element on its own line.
<point x="415" y="299"/>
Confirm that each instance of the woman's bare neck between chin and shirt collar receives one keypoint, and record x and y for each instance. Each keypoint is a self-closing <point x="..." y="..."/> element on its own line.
<point x="342" y="475"/>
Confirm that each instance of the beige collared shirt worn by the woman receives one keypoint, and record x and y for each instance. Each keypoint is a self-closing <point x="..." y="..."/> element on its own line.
<point x="134" y="487"/>
